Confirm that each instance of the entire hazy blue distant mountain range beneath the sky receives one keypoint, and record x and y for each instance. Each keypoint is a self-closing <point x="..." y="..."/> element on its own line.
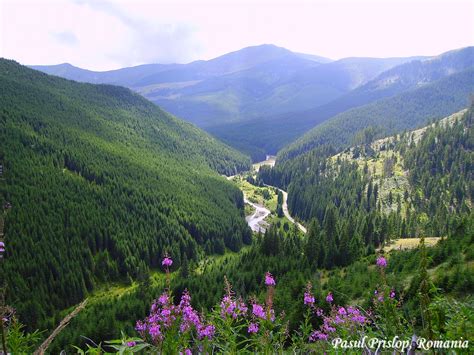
<point x="259" y="99"/>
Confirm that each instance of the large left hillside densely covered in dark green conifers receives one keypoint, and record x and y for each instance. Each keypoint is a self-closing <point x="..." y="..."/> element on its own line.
<point x="100" y="184"/>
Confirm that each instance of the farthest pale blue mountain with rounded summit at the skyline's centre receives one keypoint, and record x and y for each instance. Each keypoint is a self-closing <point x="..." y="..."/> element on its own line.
<point x="226" y="88"/>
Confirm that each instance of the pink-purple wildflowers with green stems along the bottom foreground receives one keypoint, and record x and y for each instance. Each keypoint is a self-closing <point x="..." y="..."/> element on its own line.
<point x="239" y="326"/>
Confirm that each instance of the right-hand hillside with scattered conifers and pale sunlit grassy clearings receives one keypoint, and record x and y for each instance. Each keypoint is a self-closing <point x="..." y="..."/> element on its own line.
<point x="417" y="183"/>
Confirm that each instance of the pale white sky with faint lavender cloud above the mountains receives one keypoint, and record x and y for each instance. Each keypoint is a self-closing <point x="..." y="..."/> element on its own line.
<point x="105" y="35"/>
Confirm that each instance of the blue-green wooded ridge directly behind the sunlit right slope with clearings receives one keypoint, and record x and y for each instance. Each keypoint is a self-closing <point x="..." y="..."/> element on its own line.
<point x="407" y="110"/>
